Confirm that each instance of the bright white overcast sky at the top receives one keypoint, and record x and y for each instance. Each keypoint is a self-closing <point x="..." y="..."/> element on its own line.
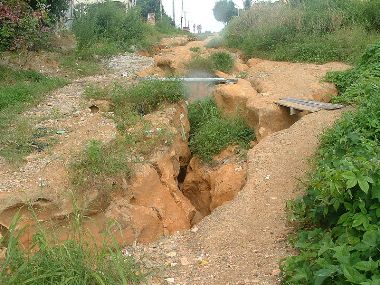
<point x="197" y="12"/>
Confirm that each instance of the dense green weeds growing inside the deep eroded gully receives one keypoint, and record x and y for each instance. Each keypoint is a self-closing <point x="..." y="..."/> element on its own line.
<point x="210" y="133"/>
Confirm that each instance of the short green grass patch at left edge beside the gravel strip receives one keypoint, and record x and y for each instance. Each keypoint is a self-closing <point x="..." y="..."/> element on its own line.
<point x="19" y="90"/>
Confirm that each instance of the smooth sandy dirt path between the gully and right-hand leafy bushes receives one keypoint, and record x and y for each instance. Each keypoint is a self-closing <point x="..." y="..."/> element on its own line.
<point x="243" y="241"/>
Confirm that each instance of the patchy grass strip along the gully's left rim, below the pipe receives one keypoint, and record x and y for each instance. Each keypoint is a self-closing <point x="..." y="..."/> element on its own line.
<point x="100" y="162"/>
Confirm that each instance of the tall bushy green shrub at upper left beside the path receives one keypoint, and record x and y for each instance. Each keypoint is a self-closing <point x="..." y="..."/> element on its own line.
<point x="106" y="29"/>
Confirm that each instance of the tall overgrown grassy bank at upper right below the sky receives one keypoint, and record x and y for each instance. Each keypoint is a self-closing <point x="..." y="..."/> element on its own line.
<point x="312" y="31"/>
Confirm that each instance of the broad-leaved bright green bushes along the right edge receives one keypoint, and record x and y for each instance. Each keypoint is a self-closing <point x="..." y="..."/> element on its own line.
<point x="343" y="198"/>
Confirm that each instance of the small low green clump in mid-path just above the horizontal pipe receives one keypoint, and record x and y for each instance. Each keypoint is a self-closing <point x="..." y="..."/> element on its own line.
<point x="222" y="61"/>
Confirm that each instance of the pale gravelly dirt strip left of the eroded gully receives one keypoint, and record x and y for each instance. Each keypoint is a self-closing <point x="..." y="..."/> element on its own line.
<point x="45" y="174"/>
